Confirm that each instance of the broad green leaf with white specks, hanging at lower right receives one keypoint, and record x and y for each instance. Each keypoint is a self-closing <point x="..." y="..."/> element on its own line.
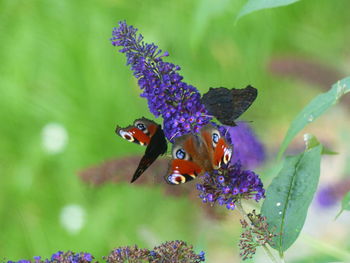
<point x="289" y="196"/>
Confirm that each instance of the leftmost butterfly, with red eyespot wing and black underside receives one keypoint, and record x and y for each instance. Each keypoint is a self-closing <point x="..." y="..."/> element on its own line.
<point x="148" y="133"/>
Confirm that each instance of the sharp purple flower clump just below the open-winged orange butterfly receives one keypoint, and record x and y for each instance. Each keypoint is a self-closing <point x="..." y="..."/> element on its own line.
<point x="228" y="185"/>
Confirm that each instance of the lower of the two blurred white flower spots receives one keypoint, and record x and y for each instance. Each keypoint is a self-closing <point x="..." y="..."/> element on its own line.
<point x="72" y="218"/>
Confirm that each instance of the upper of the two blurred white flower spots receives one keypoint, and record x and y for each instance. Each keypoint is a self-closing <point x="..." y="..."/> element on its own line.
<point x="54" y="138"/>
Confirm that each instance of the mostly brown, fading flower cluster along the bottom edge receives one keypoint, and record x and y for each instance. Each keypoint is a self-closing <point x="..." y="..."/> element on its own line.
<point x="170" y="252"/>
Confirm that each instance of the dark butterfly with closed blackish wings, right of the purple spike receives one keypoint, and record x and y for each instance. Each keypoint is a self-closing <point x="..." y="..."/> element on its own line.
<point x="228" y="104"/>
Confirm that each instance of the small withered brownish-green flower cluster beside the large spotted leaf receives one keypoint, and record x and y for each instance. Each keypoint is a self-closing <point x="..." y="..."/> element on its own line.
<point x="255" y="234"/>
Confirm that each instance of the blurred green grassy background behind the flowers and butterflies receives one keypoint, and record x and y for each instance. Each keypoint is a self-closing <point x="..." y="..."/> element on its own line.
<point x="64" y="87"/>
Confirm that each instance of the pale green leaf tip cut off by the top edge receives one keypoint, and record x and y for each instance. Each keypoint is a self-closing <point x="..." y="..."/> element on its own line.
<point x="255" y="5"/>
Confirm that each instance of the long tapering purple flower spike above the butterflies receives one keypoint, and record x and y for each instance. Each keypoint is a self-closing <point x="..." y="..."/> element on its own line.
<point x="168" y="96"/>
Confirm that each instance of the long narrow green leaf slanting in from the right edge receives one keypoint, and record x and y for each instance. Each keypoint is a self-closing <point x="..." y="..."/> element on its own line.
<point x="315" y="109"/>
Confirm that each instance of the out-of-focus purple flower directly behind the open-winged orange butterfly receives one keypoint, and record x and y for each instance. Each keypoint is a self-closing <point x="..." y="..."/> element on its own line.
<point x="247" y="148"/>
